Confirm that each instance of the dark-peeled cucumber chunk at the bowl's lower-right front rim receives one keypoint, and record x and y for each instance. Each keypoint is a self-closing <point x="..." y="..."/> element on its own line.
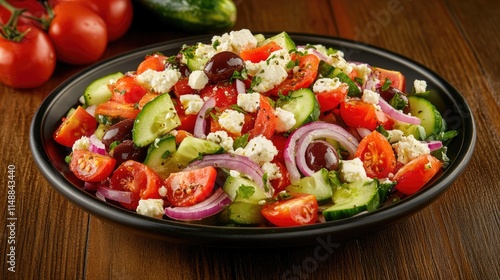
<point x="353" y="198"/>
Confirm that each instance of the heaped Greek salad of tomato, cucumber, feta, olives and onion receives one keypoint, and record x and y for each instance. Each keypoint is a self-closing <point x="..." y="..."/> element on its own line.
<point x="254" y="131"/>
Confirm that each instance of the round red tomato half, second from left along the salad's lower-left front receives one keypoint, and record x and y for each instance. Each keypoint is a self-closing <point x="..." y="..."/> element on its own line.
<point x="138" y="178"/>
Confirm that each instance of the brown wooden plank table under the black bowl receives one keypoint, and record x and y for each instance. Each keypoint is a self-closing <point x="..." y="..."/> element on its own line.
<point x="456" y="237"/>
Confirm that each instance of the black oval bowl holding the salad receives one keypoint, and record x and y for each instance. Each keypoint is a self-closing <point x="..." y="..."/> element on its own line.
<point x="49" y="156"/>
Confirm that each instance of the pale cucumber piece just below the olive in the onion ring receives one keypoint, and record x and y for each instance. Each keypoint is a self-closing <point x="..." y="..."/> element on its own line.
<point x="317" y="184"/>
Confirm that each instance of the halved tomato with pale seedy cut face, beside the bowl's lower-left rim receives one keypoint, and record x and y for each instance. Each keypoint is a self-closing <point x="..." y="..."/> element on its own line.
<point x="91" y="167"/>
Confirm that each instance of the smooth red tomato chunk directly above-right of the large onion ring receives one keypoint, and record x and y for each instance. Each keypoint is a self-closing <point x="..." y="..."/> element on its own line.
<point x="356" y="113"/>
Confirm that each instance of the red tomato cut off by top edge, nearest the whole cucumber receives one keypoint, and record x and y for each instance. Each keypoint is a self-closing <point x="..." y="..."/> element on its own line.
<point x="117" y="14"/>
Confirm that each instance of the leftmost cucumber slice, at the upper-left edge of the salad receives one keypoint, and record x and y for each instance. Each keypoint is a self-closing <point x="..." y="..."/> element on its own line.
<point x="98" y="92"/>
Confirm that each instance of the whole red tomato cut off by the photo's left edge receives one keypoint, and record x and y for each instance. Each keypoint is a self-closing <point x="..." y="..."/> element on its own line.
<point x="29" y="62"/>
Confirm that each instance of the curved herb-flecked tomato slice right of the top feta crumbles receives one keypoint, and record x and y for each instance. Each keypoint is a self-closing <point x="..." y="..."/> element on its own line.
<point x="302" y="78"/>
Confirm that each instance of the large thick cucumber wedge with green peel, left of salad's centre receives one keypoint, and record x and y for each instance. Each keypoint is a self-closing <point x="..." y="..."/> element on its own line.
<point x="157" y="118"/>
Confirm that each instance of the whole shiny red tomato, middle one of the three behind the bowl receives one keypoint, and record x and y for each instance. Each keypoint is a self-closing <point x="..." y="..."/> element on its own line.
<point x="79" y="34"/>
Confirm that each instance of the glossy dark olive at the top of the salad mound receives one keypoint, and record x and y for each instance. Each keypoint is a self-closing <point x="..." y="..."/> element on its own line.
<point x="222" y="66"/>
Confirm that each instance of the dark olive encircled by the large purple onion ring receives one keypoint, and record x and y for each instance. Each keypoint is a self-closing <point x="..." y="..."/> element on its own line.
<point x="321" y="154"/>
